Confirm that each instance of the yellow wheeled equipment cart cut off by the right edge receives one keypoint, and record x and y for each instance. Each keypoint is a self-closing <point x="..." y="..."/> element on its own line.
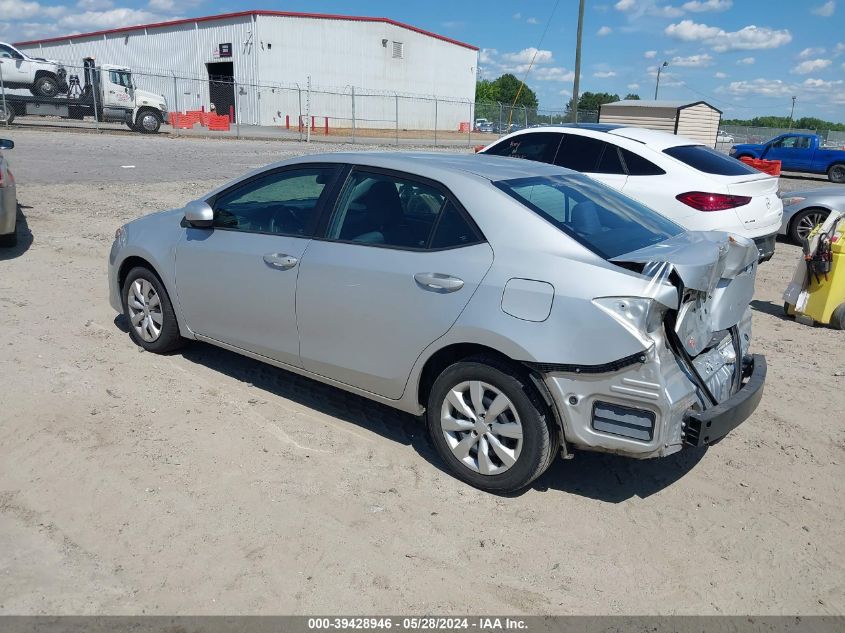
<point x="822" y="297"/>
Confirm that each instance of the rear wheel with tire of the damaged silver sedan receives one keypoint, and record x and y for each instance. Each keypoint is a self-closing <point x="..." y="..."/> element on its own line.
<point x="490" y="426"/>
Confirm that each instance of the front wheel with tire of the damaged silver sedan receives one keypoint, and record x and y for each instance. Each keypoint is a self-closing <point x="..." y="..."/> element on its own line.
<point x="147" y="307"/>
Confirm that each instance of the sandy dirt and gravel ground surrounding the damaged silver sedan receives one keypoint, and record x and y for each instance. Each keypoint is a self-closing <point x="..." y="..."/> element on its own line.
<point x="203" y="482"/>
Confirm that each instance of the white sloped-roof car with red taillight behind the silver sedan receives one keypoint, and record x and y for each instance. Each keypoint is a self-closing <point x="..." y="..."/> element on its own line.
<point x="694" y="185"/>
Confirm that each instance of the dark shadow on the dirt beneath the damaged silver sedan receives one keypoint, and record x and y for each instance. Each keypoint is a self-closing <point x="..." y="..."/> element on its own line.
<point x="603" y="477"/>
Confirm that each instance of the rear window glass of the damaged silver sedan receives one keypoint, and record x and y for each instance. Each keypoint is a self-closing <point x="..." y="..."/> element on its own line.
<point x="598" y="217"/>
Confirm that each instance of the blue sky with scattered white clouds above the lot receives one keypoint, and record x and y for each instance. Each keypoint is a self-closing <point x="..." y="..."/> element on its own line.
<point x="747" y="57"/>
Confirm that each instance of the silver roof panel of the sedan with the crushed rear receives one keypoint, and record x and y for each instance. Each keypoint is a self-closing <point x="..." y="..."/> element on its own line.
<point x="438" y="165"/>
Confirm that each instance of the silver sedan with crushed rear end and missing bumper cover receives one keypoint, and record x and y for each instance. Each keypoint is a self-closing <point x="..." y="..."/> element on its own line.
<point x="526" y="310"/>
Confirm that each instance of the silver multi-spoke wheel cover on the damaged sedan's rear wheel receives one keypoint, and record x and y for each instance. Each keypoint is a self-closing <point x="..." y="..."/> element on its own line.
<point x="481" y="427"/>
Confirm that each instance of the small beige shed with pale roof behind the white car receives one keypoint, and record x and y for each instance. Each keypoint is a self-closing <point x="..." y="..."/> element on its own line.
<point x="697" y="120"/>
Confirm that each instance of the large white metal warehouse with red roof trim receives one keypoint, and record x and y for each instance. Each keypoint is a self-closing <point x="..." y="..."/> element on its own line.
<point x="258" y="64"/>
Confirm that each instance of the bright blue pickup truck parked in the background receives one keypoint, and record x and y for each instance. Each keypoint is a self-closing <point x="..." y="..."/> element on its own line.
<point x="798" y="152"/>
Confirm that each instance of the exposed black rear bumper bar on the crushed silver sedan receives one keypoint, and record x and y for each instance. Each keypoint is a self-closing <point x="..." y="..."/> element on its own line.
<point x="705" y="427"/>
